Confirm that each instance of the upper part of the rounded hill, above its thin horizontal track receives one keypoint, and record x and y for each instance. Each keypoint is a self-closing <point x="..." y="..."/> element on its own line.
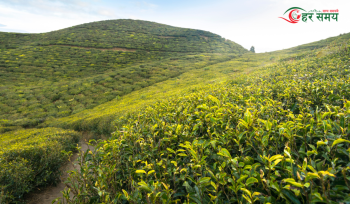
<point x="130" y="34"/>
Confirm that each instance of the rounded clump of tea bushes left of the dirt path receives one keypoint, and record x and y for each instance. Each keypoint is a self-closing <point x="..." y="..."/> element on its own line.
<point x="32" y="158"/>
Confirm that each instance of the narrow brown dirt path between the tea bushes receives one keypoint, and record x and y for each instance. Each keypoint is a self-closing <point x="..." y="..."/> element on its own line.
<point x="47" y="195"/>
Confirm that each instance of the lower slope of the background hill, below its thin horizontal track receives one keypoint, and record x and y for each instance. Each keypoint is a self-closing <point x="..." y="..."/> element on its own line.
<point x="31" y="93"/>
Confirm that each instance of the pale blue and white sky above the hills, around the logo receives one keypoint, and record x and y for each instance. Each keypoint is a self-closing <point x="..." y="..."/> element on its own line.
<point x="246" y="22"/>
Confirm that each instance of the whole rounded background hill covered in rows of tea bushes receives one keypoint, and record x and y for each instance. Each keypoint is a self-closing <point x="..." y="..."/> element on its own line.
<point x="63" y="72"/>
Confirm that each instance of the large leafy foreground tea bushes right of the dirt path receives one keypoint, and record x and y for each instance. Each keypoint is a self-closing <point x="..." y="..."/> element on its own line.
<point x="279" y="135"/>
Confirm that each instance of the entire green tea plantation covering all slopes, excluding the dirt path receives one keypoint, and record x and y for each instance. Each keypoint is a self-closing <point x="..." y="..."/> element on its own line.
<point x="190" y="117"/>
